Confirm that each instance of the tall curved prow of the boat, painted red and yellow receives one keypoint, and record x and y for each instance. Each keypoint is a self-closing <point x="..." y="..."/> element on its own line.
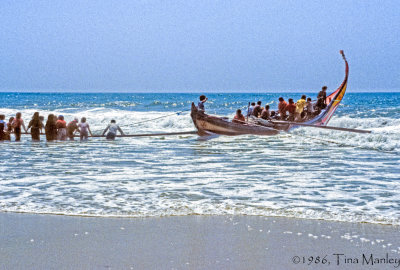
<point x="336" y="97"/>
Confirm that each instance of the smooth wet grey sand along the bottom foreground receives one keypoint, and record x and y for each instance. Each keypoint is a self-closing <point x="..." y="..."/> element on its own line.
<point x="30" y="241"/>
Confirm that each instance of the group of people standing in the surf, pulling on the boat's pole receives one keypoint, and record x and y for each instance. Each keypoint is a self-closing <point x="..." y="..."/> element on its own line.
<point x="55" y="128"/>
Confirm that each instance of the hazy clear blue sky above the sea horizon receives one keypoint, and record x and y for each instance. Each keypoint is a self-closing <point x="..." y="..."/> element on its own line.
<point x="198" y="45"/>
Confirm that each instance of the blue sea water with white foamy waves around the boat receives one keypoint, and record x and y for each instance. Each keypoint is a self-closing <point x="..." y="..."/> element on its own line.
<point x="308" y="173"/>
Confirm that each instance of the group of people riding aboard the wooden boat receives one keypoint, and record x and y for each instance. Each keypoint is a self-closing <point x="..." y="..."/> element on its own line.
<point x="302" y="110"/>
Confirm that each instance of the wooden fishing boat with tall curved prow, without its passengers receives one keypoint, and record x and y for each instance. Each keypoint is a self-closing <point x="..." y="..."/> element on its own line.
<point x="207" y="124"/>
